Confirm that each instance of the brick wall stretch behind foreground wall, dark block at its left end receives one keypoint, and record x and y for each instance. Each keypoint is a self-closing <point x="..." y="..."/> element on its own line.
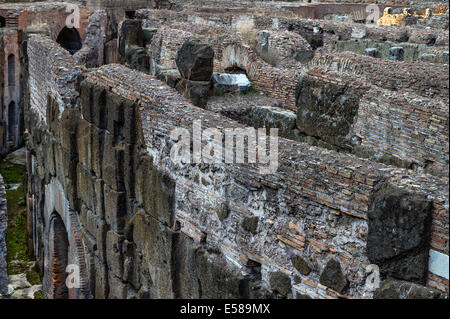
<point x="395" y="127"/>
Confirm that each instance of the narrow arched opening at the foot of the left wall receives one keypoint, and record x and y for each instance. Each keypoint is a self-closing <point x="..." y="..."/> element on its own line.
<point x="59" y="257"/>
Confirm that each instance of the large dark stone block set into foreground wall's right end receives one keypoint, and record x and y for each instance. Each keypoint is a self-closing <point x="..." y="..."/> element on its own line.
<point x="399" y="233"/>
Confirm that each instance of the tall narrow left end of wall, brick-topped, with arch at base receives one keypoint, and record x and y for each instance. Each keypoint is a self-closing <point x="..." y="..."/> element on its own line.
<point x="51" y="76"/>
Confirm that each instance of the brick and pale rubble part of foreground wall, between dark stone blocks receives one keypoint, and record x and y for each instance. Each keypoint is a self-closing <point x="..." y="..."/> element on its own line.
<point x="344" y="201"/>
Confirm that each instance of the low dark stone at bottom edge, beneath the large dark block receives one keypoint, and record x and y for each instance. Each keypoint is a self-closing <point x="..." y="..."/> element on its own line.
<point x="397" y="289"/>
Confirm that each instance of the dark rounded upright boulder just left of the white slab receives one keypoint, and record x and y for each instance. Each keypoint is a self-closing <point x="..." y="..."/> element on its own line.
<point x="195" y="61"/>
